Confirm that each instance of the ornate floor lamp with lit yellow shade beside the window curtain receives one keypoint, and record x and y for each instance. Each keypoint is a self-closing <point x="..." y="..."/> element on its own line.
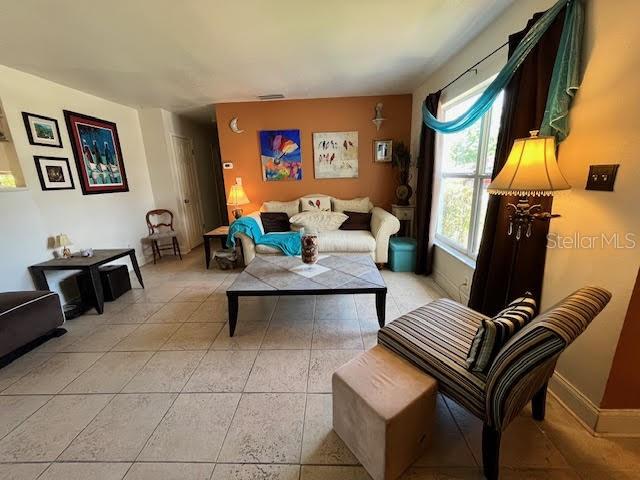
<point x="531" y="170"/>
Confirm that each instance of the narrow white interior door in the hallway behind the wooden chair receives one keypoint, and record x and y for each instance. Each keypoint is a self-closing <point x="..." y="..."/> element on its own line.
<point x="189" y="191"/>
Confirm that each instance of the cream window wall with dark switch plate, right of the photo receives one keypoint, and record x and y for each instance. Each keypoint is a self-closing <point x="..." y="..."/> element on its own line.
<point x="605" y="129"/>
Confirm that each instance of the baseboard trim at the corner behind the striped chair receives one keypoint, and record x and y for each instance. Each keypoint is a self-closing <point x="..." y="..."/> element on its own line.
<point x="599" y="422"/>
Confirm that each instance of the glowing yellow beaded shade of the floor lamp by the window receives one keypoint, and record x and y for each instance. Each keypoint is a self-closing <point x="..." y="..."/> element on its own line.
<point x="530" y="170"/>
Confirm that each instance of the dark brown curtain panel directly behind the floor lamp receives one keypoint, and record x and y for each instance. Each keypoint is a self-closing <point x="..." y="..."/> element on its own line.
<point x="524" y="102"/>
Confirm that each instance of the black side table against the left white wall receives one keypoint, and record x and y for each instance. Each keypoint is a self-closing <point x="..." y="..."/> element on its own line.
<point x="90" y="265"/>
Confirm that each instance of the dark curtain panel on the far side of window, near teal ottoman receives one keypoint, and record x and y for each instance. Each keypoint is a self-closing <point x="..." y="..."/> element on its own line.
<point x="424" y="191"/>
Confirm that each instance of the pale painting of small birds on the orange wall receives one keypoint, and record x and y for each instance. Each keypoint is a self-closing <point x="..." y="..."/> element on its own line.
<point x="335" y="154"/>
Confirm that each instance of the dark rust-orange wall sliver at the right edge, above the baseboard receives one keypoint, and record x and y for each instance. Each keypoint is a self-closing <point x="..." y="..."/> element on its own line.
<point x="623" y="386"/>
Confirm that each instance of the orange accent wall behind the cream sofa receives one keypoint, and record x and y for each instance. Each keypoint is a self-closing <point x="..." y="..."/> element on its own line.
<point x="375" y="180"/>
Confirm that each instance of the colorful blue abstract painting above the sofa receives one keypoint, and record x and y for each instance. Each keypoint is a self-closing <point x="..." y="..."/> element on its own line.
<point x="280" y="155"/>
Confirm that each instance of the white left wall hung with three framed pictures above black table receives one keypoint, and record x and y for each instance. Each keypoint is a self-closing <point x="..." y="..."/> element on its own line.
<point x="30" y="216"/>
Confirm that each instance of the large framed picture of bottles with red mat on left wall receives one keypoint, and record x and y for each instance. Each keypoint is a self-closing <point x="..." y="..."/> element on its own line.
<point x="96" y="148"/>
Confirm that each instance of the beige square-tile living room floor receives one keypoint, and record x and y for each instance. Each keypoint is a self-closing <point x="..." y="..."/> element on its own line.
<point x="156" y="389"/>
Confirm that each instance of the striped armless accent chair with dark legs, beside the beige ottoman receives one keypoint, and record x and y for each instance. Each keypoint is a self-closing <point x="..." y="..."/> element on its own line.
<point x="437" y="337"/>
